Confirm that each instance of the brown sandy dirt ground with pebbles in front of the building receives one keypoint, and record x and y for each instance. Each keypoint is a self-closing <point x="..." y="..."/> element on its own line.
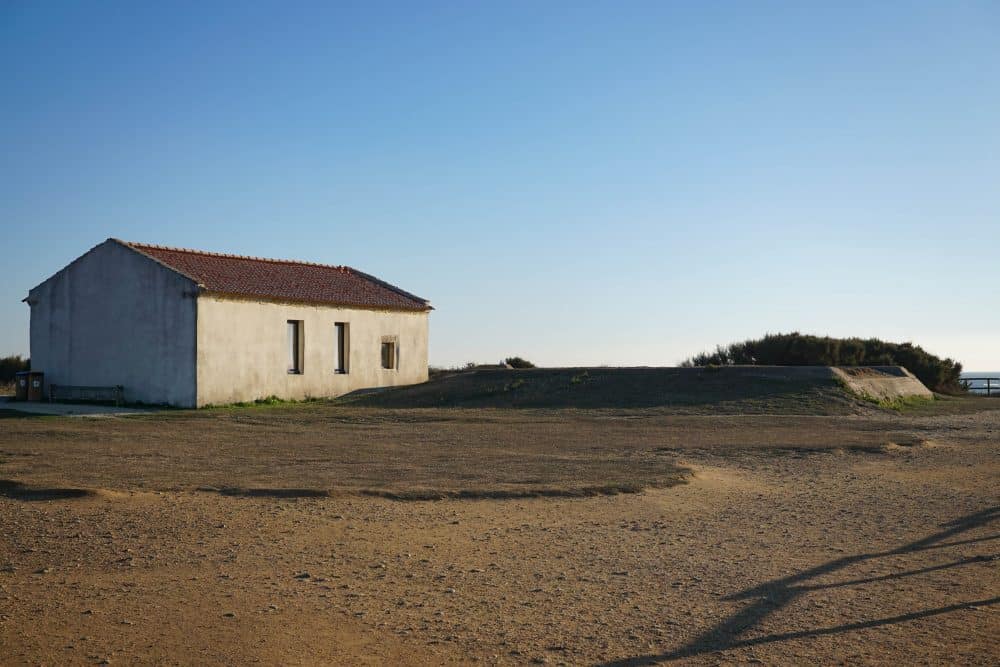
<point x="246" y="536"/>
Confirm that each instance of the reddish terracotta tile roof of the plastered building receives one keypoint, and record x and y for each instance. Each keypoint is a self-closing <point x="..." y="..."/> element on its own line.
<point x="283" y="280"/>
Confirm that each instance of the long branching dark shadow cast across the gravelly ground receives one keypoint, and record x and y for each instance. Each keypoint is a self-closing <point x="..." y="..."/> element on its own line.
<point x="779" y="593"/>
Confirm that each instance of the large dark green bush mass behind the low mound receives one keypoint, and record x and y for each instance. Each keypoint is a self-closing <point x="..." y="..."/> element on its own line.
<point x="795" y="349"/>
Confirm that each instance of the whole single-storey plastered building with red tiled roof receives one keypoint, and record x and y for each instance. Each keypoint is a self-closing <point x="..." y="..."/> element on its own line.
<point x="191" y="328"/>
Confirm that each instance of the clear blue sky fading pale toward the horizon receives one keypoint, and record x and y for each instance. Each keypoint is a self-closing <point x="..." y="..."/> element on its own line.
<point x="576" y="183"/>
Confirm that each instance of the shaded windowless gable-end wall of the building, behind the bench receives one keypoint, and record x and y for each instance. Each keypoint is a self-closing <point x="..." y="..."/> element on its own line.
<point x="115" y="317"/>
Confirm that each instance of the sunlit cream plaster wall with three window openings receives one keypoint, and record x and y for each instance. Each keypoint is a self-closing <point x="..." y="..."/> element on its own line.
<point x="243" y="350"/>
